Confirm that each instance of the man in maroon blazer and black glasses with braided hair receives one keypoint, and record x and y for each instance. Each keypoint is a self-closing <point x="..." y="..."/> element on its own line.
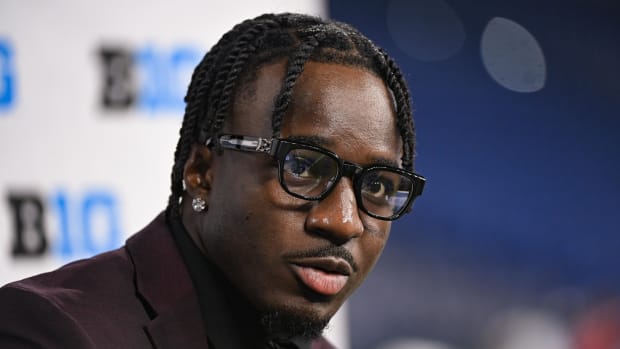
<point x="295" y="154"/>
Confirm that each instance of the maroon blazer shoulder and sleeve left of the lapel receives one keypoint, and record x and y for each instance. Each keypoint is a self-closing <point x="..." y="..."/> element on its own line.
<point x="85" y="304"/>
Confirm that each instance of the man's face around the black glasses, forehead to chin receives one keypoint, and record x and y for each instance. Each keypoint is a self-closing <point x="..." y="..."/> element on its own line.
<point x="272" y="246"/>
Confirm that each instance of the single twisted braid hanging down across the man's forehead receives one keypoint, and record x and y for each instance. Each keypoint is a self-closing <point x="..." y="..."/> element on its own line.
<point x="294" y="70"/>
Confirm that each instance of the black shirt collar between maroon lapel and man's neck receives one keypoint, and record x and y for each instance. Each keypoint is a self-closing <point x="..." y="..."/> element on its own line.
<point x="229" y="321"/>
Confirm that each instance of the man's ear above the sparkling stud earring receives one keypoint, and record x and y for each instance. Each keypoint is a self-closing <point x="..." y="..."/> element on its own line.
<point x="197" y="172"/>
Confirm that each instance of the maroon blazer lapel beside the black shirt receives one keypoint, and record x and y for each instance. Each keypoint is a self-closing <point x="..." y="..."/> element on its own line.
<point x="164" y="285"/>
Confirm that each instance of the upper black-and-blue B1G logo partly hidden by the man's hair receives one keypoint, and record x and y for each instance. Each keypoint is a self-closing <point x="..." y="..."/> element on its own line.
<point x="149" y="79"/>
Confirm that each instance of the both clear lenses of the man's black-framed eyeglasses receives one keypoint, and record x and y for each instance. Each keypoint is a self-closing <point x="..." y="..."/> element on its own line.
<point x="309" y="174"/>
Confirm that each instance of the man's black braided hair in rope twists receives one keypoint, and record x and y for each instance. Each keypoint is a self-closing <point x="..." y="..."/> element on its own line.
<point x="264" y="39"/>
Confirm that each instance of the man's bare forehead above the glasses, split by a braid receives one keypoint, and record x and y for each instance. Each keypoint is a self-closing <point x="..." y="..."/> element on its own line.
<point x="348" y="107"/>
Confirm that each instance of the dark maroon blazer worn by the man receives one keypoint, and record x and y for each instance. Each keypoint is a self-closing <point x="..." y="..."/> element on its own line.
<point x="138" y="296"/>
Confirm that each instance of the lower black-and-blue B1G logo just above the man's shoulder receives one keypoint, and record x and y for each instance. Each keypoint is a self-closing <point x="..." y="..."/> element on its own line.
<point x="86" y="224"/>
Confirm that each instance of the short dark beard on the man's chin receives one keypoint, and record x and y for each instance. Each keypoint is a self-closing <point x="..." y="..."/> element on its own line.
<point x="287" y="323"/>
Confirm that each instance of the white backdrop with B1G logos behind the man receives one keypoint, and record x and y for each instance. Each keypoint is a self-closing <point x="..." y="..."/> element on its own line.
<point x="79" y="173"/>
